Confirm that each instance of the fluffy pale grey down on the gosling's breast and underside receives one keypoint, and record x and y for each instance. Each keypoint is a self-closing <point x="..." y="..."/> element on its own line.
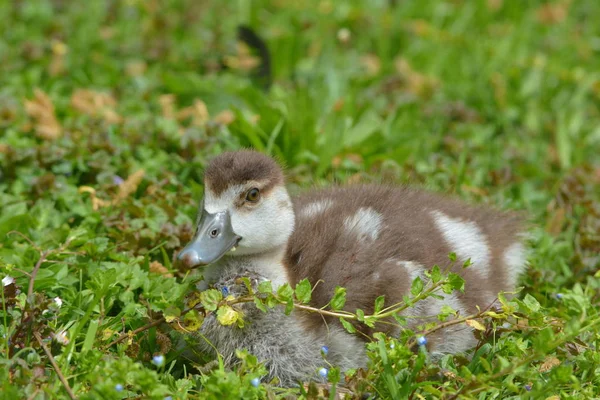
<point x="289" y="351"/>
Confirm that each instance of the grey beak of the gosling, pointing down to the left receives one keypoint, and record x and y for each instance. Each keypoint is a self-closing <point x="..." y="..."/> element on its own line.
<point x="213" y="239"/>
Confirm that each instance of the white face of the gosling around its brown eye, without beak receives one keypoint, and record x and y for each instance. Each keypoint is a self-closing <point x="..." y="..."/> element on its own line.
<point x="264" y="224"/>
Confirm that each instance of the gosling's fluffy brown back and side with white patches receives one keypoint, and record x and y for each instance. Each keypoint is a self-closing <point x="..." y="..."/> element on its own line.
<point x="374" y="240"/>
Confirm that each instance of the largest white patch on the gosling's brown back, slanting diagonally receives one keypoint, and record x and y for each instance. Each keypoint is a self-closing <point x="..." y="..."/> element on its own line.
<point x="466" y="240"/>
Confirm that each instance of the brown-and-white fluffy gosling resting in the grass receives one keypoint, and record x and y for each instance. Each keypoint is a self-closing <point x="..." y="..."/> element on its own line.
<point x="371" y="239"/>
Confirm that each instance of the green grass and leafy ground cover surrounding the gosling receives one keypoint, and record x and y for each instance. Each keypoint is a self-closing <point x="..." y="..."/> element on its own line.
<point x="494" y="101"/>
